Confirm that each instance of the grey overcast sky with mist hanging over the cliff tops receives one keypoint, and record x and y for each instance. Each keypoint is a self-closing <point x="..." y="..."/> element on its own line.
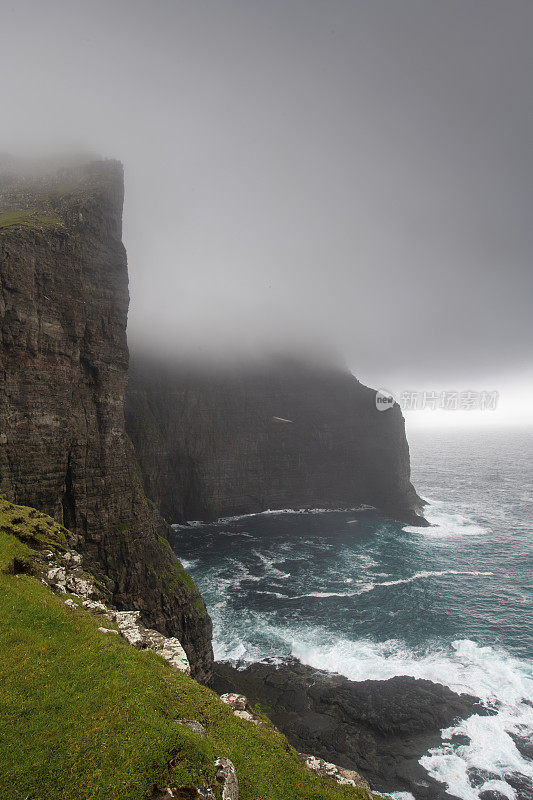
<point x="351" y="174"/>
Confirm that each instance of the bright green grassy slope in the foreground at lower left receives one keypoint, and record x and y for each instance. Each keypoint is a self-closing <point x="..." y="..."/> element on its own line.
<point x="87" y="716"/>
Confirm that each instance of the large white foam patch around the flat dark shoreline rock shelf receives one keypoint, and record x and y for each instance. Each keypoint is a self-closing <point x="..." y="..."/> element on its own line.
<point x="502" y="682"/>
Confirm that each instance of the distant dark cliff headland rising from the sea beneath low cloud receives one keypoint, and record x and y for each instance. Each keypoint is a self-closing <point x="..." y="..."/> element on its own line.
<point x="275" y="435"/>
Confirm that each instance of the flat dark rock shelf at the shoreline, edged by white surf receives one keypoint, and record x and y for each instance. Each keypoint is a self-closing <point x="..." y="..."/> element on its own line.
<point x="379" y="728"/>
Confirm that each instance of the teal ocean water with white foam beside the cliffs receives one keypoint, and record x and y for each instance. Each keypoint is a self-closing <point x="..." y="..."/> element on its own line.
<point x="355" y="593"/>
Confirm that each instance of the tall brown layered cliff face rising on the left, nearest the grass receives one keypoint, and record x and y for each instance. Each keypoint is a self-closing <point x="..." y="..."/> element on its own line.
<point x="63" y="375"/>
